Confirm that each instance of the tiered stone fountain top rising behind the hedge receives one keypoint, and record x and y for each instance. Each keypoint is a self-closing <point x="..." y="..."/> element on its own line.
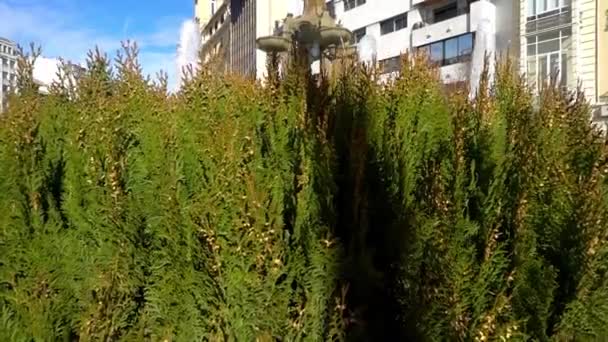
<point x="315" y="29"/>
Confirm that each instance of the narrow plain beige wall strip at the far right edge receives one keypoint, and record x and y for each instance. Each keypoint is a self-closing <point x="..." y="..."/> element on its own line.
<point x="602" y="51"/>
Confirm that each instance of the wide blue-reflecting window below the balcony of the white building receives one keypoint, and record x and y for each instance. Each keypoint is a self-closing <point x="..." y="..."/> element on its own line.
<point x="450" y="51"/>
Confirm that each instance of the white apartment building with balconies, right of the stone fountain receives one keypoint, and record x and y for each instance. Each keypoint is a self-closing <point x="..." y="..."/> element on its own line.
<point x="447" y="30"/>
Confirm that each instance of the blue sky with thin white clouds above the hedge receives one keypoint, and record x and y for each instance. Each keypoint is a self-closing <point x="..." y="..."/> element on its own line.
<point x="69" y="28"/>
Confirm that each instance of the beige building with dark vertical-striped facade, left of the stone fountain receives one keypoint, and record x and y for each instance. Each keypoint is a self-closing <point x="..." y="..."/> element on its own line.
<point x="230" y="27"/>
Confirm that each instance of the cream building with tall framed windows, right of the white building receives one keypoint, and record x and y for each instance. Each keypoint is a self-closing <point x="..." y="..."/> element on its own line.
<point x="567" y="39"/>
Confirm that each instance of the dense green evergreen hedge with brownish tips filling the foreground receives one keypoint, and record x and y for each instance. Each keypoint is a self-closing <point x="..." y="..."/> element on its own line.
<point x="302" y="209"/>
